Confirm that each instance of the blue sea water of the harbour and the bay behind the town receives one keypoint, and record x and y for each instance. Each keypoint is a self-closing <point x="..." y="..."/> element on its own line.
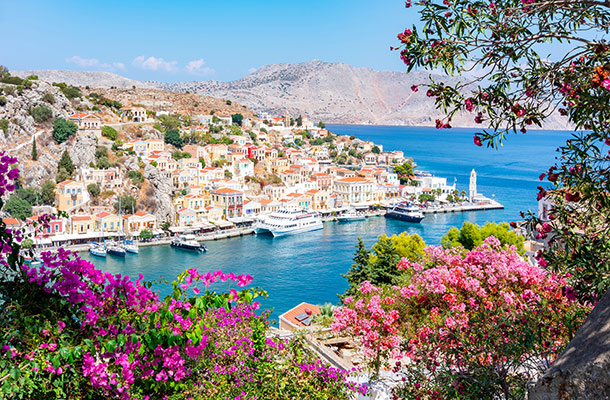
<point x="308" y="267"/>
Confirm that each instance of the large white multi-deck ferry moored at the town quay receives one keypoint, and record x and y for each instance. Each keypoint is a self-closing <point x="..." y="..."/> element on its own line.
<point x="289" y="222"/>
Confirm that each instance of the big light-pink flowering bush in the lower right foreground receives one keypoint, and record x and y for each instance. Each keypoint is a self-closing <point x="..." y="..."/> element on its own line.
<point x="474" y="325"/>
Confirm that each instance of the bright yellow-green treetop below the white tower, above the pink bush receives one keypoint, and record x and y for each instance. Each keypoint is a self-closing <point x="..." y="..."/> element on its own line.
<point x="471" y="236"/>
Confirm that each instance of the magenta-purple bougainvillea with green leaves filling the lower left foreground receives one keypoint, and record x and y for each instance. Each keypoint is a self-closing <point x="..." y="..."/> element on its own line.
<point x="72" y="331"/>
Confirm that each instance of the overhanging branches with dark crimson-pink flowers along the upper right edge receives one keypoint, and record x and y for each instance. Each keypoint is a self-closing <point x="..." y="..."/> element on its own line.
<point x="520" y="86"/>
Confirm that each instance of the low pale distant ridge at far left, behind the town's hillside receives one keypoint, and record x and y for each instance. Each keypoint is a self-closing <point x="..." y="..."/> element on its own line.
<point x="94" y="79"/>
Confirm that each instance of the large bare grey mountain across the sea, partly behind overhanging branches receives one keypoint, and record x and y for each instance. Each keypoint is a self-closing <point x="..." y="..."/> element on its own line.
<point x="333" y="93"/>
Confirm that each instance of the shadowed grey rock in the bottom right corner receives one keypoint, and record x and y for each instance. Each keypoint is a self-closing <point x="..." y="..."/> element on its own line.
<point x="582" y="371"/>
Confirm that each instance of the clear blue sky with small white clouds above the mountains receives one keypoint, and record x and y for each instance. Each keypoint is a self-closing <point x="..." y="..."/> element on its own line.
<point x="198" y="40"/>
